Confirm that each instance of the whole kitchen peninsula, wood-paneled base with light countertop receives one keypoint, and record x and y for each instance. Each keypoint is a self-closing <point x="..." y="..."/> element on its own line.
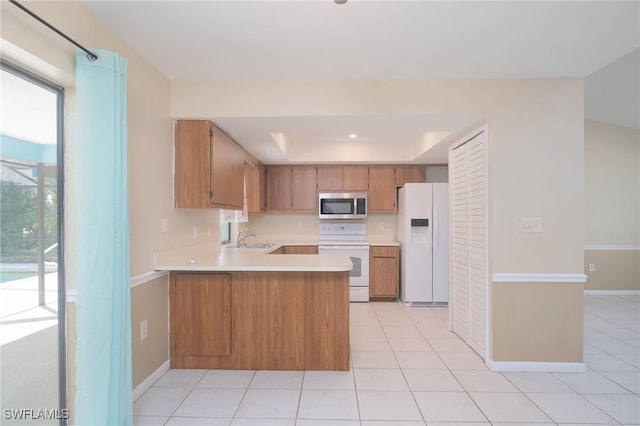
<point x="249" y="309"/>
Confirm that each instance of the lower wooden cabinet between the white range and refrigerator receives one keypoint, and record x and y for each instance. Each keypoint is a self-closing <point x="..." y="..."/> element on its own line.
<point x="383" y="272"/>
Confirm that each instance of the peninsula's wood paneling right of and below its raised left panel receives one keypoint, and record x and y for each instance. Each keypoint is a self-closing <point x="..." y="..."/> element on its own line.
<point x="284" y="321"/>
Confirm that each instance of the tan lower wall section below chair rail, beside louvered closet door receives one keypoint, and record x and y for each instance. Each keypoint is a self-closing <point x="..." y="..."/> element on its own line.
<point x="537" y="322"/>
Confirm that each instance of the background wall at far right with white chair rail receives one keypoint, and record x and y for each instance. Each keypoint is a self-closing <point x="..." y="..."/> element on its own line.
<point x="612" y="179"/>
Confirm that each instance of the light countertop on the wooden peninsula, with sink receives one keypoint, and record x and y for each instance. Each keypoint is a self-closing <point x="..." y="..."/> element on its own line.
<point x="206" y="257"/>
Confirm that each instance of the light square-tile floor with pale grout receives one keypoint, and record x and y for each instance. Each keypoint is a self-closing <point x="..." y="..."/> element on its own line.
<point x="408" y="369"/>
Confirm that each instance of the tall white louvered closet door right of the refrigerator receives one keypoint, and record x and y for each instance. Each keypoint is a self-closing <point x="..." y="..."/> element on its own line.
<point x="470" y="241"/>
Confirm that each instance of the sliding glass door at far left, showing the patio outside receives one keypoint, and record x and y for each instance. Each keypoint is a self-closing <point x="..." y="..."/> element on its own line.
<point x="32" y="296"/>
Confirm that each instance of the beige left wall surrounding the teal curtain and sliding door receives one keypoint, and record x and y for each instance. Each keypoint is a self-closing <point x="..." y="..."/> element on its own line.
<point x="29" y="44"/>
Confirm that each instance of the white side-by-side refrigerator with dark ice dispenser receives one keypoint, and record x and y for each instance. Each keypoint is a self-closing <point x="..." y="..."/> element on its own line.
<point x="423" y="234"/>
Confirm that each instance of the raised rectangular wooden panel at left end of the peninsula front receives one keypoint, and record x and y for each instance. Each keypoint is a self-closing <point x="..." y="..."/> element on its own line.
<point x="201" y="314"/>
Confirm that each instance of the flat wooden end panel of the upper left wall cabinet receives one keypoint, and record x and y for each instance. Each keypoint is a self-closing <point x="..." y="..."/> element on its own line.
<point x="192" y="166"/>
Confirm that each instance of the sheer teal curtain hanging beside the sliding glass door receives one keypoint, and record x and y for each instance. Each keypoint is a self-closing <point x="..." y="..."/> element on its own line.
<point x="103" y="355"/>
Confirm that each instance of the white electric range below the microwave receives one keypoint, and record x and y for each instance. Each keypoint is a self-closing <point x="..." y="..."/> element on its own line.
<point x="349" y="238"/>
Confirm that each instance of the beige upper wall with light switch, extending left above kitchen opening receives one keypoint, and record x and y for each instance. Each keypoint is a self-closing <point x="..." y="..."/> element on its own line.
<point x="536" y="145"/>
